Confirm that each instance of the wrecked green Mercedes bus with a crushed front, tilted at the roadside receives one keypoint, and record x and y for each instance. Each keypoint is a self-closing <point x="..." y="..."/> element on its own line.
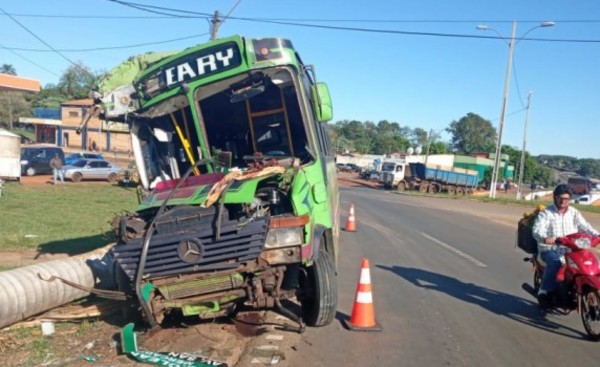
<point x="240" y="204"/>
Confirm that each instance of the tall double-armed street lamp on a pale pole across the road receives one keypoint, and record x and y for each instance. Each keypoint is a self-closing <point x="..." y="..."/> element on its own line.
<point x="511" y="48"/>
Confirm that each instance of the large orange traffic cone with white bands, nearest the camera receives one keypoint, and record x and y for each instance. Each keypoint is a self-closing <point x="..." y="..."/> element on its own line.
<point x="363" y="313"/>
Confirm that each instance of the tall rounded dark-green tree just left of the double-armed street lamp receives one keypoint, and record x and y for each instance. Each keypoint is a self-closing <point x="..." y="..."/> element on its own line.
<point x="472" y="133"/>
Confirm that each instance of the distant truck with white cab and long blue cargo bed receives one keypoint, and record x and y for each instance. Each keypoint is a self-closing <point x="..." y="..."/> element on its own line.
<point x="431" y="179"/>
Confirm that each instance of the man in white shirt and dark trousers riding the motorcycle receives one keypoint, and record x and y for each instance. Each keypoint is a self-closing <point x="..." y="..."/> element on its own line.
<point x="556" y="221"/>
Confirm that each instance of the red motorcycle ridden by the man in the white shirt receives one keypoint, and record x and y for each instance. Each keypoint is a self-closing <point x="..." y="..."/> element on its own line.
<point x="578" y="279"/>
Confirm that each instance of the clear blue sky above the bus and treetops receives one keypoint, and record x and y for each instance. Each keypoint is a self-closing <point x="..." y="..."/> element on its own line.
<point x="401" y="75"/>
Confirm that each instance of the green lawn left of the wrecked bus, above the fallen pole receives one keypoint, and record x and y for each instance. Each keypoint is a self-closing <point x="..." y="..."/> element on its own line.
<point x="72" y="218"/>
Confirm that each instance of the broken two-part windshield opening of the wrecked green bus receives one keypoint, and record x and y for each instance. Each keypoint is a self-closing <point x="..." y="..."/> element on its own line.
<point x="241" y="119"/>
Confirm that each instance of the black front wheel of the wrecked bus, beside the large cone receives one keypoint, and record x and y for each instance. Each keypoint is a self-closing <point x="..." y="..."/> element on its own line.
<point x="319" y="280"/>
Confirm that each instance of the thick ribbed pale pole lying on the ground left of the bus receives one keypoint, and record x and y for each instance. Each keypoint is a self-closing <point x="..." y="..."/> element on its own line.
<point x="23" y="293"/>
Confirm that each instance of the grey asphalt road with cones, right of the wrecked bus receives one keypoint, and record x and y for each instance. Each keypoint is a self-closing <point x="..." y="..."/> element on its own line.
<point x="447" y="287"/>
